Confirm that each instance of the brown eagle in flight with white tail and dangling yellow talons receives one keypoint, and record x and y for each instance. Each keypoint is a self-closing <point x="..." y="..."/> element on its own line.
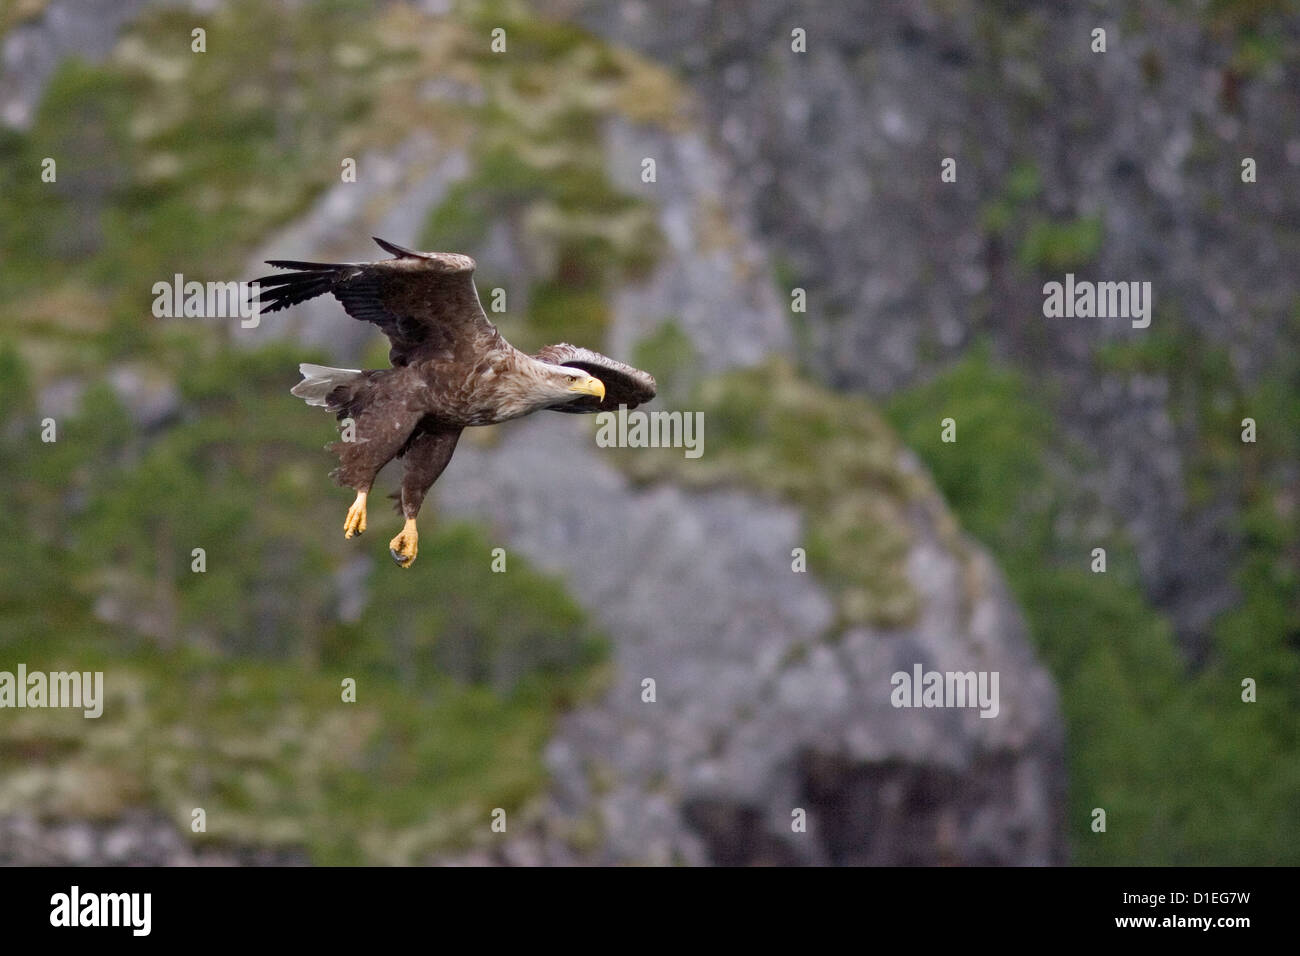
<point x="452" y="369"/>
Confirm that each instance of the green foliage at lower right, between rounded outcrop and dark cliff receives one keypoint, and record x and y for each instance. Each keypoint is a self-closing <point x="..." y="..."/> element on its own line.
<point x="1186" y="772"/>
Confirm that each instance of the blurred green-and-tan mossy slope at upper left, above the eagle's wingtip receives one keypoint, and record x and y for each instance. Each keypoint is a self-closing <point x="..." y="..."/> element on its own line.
<point x="177" y="162"/>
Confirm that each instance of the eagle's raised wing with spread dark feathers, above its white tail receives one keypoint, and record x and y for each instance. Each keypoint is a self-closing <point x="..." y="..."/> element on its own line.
<point x="424" y="302"/>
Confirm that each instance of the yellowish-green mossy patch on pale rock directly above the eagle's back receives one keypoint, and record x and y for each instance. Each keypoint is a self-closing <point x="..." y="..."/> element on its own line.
<point x="539" y="163"/>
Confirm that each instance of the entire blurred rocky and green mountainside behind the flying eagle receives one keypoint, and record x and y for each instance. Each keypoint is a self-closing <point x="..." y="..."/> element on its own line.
<point x="774" y="171"/>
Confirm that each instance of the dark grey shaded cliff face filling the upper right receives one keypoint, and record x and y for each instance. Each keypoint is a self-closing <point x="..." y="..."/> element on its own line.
<point x="1120" y="166"/>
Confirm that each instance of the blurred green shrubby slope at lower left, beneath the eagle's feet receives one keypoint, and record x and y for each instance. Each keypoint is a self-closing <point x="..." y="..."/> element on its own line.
<point x="226" y="685"/>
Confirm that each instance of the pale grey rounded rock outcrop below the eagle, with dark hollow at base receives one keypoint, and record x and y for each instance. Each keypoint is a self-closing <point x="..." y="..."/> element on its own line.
<point x="762" y="707"/>
